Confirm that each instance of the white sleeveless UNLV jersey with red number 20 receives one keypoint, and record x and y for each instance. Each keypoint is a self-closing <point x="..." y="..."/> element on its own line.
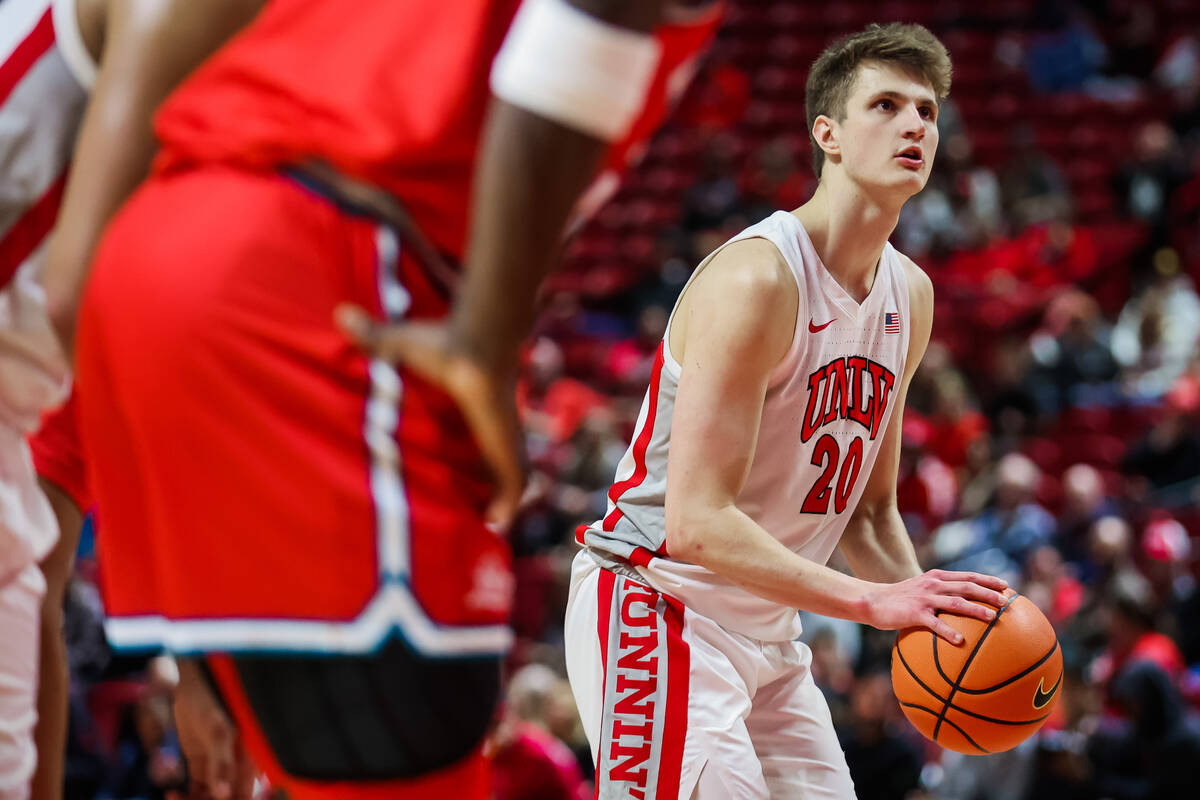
<point x="824" y="419"/>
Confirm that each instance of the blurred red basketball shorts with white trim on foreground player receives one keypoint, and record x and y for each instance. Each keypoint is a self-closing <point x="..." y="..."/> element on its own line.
<point x="262" y="484"/>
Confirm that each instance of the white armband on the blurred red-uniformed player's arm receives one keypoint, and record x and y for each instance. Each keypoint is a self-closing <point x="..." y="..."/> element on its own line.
<point x="571" y="68"/>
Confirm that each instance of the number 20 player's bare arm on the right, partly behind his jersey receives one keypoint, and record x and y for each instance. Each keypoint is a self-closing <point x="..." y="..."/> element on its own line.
<point x="875" y="542"/>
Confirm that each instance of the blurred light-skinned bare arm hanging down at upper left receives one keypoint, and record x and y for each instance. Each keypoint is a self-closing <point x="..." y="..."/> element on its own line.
<point x="149" y="47"/>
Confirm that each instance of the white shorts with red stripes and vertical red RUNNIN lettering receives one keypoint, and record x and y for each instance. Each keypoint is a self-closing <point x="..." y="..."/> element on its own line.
<point x="677" y="707"/>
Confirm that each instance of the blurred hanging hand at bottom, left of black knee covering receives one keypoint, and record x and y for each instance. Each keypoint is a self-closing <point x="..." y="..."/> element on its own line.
<point x="217" y="762"/>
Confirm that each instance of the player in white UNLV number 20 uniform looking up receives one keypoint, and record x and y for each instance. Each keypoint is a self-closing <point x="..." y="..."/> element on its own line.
<point x="771" y="436"/>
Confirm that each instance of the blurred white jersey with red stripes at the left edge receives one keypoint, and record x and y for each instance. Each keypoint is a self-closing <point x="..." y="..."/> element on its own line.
<point x="45" y="74"/>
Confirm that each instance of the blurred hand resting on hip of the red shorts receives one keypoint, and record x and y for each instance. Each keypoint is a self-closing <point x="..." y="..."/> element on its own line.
<point x="488" y="401"/>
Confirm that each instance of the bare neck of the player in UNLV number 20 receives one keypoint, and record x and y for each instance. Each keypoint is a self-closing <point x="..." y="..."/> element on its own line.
<point x="849" y="231"/>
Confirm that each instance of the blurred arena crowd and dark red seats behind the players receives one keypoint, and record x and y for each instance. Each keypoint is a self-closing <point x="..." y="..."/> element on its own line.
<point x="1051" y="435"/>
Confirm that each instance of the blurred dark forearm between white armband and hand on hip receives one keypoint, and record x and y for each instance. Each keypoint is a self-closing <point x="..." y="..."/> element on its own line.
<point x="539" y="167"/>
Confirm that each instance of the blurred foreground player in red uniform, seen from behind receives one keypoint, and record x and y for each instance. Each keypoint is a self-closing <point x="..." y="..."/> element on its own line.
<point x="310" y="518"/>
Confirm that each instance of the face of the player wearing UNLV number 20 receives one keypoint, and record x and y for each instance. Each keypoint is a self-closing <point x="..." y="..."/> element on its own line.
<point x="890" y="136"/>
